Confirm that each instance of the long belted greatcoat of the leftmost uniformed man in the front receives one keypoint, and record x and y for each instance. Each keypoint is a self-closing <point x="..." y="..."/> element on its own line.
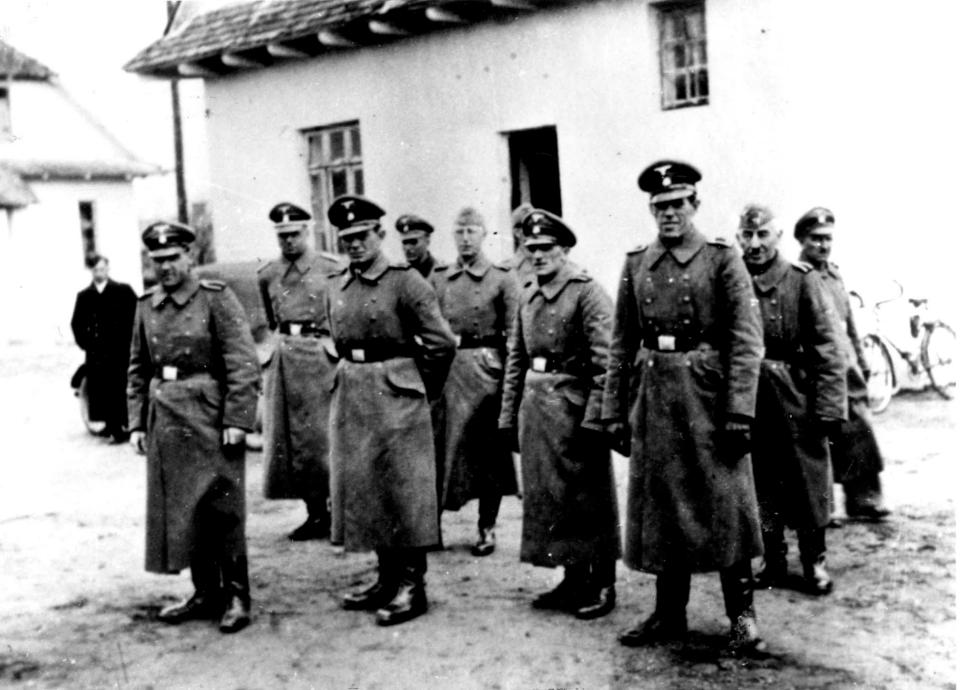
<point x="193" y="372"/>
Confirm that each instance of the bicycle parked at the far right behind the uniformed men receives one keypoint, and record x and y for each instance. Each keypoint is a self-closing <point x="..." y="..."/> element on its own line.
<point x="926" y="355"/>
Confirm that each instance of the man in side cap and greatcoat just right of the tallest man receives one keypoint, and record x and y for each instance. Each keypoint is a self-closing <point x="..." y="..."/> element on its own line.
<point x="802" y="394"/>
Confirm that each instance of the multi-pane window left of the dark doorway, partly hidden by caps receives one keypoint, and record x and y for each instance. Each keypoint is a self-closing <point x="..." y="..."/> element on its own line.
<point x="335" y="167"/>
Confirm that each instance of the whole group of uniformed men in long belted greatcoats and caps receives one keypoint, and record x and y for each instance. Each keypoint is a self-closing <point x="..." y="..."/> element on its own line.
<point x="730" y="378"/>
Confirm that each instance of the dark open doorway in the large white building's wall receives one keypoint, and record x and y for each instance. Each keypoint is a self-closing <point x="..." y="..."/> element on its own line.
<point x="535" y="168"/>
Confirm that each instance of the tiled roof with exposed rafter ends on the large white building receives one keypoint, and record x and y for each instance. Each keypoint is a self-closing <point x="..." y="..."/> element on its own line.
<point x="246" y="29"/>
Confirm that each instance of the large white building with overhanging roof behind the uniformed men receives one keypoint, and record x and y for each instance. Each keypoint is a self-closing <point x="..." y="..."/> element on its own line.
<point x="430" y="105"/>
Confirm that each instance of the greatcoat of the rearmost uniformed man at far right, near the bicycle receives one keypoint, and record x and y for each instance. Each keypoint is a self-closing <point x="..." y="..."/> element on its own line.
<point x="855" y="453"/>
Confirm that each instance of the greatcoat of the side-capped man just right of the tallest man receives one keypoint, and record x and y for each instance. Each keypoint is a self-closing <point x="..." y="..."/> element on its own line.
<point x="802" y="381"/>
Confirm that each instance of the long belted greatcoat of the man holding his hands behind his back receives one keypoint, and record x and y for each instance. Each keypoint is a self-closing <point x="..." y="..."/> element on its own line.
<point x="395" y="347"/>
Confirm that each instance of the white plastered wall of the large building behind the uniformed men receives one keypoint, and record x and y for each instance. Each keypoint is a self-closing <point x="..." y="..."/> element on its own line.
<point x="432" y="111"/>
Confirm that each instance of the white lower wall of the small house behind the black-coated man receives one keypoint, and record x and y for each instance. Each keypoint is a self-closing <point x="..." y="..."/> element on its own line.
<point x="41" y="284"/>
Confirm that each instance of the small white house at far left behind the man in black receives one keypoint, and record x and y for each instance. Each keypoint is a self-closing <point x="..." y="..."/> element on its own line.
<point x="65" y="192"/>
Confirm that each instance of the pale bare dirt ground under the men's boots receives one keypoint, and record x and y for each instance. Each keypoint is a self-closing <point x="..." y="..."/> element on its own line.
<point x="77" y="609"/>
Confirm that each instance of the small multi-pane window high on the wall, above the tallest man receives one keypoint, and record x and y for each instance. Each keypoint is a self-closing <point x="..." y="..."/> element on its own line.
<point x="683" y="55"/>
